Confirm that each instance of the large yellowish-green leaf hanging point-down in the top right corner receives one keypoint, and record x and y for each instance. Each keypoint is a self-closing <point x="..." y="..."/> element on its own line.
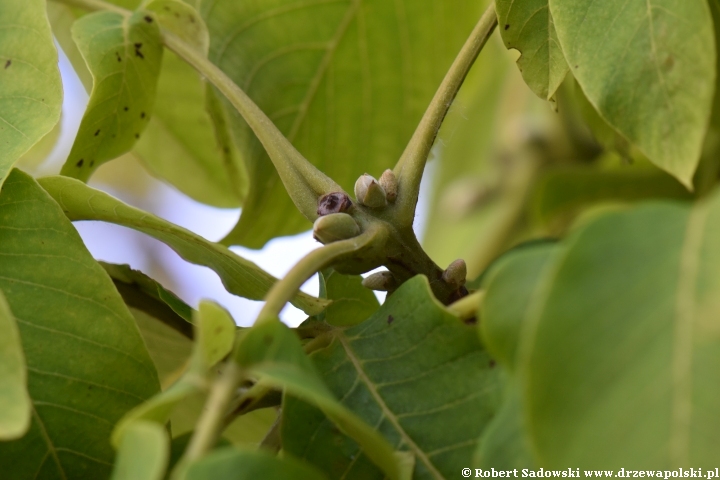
<point x="649" y="70"/>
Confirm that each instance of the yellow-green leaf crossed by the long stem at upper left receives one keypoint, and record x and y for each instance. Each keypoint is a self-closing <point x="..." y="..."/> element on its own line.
<point x="186" y="142"/>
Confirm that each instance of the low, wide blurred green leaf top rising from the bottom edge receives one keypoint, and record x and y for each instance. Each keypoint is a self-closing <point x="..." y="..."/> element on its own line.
<point x="233" y="464"/>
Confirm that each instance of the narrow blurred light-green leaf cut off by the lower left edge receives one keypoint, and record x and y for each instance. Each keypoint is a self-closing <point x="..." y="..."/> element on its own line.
<point x="15" y="404"/>
